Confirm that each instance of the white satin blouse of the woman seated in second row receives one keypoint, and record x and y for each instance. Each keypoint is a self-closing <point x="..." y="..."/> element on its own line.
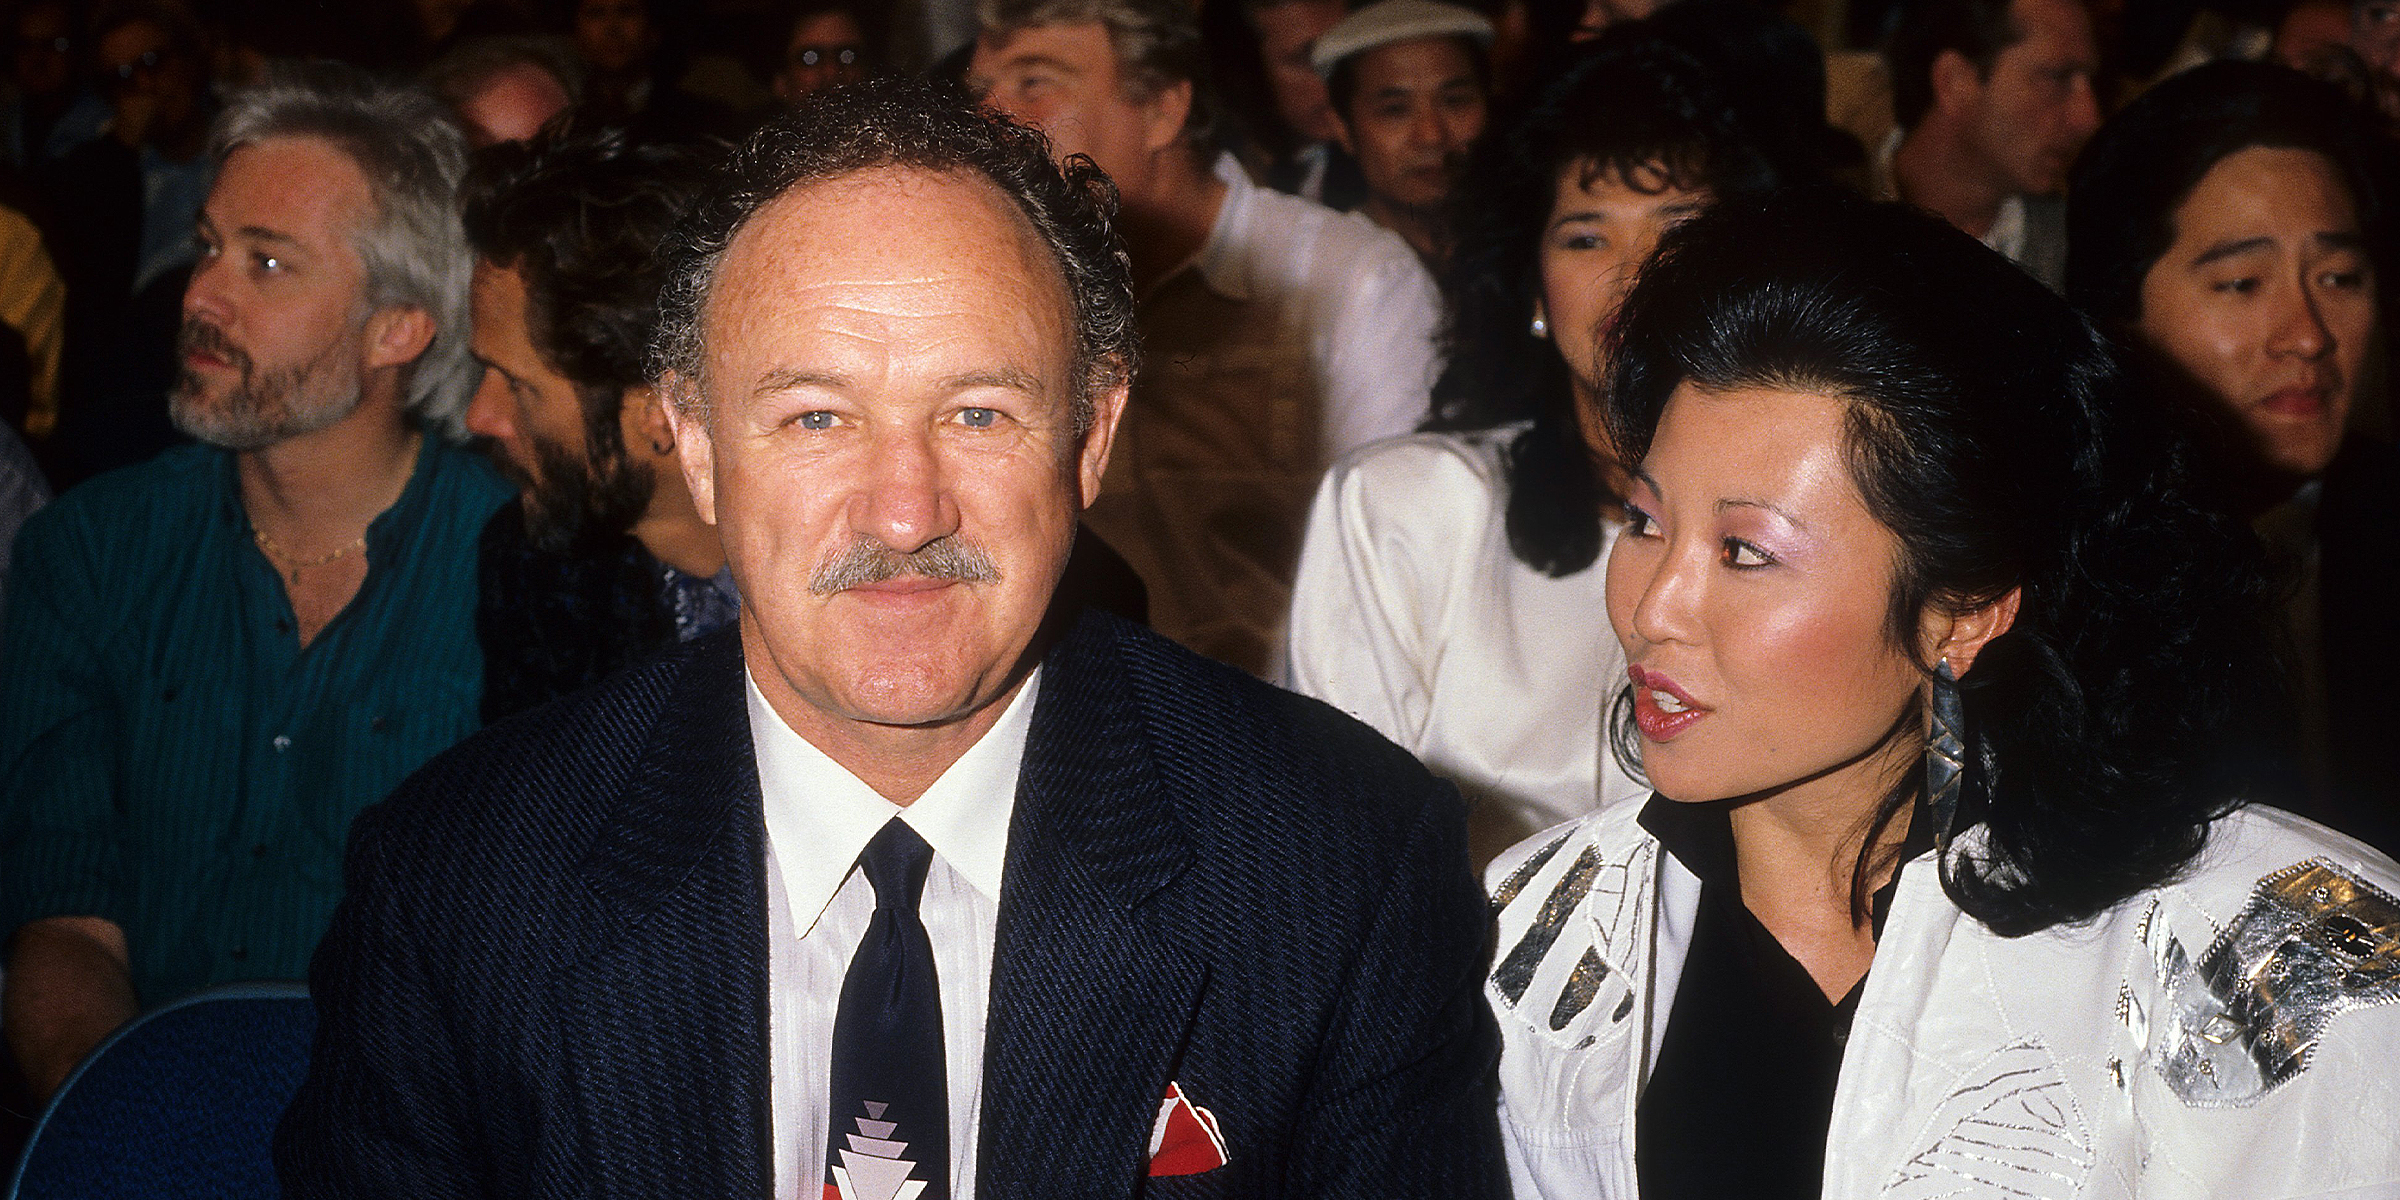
<point x="1417" y="618"/>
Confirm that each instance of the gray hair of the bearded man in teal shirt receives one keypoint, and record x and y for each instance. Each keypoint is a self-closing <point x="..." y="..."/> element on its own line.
<point x="414" y="248"/>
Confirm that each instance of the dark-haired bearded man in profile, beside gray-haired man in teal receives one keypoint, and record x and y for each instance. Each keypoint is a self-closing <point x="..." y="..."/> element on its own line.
<point x="601" y="560"/>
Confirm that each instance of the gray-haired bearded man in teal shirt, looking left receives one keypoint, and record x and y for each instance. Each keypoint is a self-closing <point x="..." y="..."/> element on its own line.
<point x="217" y="659"/>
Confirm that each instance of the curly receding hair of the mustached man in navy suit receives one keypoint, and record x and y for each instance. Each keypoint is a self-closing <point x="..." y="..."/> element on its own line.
<point x="928" y="126"/>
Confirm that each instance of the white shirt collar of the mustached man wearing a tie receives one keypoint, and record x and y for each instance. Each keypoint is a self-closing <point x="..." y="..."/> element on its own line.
<point x="820" y="817"/>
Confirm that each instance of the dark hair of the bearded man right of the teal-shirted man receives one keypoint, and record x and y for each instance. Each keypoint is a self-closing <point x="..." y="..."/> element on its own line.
<point x="580" y="217"/>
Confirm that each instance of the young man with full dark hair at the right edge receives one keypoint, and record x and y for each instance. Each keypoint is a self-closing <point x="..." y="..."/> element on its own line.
<point x="2236" y="224"/>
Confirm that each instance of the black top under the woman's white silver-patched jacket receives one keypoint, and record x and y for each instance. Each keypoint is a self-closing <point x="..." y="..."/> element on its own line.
<point x="1744" y="1088"/>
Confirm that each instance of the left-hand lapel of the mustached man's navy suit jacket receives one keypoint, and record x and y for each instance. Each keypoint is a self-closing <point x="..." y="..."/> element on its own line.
<point x="664" y="1028"/>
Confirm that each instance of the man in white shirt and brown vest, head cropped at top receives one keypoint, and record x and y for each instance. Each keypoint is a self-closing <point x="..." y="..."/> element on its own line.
<point x="1278" y="335"/>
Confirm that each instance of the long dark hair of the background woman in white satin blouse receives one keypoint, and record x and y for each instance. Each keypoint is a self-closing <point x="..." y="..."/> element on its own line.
<point x="1621" y="109"/>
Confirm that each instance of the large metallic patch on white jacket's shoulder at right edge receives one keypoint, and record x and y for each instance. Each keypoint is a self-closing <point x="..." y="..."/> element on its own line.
<point x="2312" y="944"/>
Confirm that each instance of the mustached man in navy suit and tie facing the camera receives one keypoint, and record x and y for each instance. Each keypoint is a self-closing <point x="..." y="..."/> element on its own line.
<point x="1091" y="916"/>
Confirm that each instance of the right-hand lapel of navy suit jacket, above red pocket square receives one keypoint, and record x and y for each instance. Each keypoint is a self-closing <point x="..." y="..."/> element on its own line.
<point x="1091" y="995"/>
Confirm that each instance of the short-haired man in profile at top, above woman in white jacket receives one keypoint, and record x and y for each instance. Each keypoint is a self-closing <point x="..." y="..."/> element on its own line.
<point x="1993" y="102"/>
